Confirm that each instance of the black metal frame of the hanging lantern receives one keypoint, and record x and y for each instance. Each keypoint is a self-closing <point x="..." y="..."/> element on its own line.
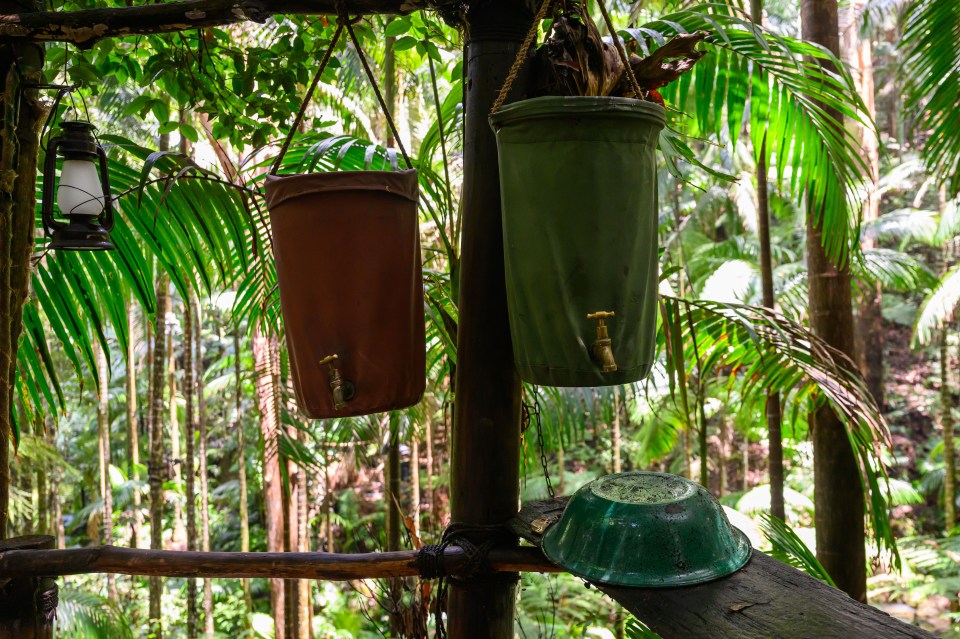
<point x="81" y="232"/>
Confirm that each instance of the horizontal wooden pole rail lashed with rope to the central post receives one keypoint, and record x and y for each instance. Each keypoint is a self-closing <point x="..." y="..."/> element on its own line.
<point x="284" y="565"/>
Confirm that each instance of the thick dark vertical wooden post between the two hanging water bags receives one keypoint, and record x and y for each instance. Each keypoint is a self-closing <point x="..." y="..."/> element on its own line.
<point x="485" y="459"/>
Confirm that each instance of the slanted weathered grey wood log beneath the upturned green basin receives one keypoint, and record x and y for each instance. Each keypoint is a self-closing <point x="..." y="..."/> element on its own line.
<point x="766" y="598"/>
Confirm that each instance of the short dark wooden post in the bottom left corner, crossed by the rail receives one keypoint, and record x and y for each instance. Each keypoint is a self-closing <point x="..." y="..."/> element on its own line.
<point x="27" y="604"/>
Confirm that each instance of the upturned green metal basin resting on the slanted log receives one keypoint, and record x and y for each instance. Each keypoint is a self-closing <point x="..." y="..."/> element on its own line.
<point x="645" y="529"/>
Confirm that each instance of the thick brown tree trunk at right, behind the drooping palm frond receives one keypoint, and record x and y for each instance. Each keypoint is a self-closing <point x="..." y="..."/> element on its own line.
<point x="838" y="495"/>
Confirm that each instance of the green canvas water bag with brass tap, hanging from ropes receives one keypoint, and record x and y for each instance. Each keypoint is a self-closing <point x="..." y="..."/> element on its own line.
<point x="578" y="182"/>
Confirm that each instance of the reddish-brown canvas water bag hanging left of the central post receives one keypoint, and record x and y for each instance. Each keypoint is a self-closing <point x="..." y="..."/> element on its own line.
<point x="347" y="251"/>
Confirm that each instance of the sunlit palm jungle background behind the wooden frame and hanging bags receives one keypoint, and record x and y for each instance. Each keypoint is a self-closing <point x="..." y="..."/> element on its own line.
<point x="179" y="333"/>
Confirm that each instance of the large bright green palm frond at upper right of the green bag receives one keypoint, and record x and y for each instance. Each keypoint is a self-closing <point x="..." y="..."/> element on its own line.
<point x="787" y="90"/>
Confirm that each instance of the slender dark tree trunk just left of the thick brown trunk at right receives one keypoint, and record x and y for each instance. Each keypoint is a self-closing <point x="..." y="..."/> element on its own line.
<point x="772" y="407"/>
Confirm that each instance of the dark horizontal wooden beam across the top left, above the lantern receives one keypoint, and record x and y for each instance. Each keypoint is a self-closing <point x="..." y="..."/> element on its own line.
<point x="85" y="27"/>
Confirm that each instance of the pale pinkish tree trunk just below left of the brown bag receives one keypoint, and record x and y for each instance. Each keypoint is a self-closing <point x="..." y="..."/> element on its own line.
<point x="263" y="347"/>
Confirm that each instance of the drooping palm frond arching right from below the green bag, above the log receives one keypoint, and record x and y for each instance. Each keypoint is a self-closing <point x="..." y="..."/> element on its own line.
<point x="760" y="350"/>
